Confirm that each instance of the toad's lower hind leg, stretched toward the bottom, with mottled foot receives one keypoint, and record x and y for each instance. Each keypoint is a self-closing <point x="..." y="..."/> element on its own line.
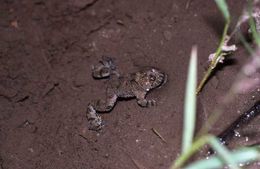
<point x="95" y="121"/>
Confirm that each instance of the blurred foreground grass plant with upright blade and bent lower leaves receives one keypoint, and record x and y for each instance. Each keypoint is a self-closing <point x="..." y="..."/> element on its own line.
<point x="190" y="147"/>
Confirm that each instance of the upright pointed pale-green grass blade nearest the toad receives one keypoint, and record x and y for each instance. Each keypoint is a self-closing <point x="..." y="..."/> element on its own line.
<point x="190" y="102"/>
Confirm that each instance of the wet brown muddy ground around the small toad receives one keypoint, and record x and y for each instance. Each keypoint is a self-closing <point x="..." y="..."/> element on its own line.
<point x="47" y="48"/>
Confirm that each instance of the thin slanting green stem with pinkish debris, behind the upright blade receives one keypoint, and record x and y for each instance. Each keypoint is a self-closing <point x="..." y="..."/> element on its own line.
<point x="215" y="60"/>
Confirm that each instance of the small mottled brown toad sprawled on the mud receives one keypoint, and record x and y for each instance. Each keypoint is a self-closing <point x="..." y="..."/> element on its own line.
<point x="134" y="85"/>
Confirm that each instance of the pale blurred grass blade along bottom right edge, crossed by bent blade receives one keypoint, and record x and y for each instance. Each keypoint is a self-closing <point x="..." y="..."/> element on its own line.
<point x="242" y="155"/>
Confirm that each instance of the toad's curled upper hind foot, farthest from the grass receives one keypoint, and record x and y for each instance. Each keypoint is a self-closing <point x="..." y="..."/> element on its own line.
<point x="104" y="68"/>
